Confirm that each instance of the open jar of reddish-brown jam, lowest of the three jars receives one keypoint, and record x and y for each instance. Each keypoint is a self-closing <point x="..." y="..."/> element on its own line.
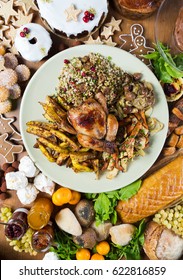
<point x="42" y="239"/>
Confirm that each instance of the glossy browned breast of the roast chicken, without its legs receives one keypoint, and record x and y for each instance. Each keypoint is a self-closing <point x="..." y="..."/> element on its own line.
<point x="89" y="119"/>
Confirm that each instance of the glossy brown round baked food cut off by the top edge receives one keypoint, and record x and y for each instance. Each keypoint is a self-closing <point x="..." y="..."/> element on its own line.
<point x="137" y="9"/>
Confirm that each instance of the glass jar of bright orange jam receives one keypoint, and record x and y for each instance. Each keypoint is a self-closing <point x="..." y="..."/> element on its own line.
<point x="40" y="213"/>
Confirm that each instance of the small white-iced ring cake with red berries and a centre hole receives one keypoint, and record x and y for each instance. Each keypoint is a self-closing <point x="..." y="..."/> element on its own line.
<point x="33" y="42"/>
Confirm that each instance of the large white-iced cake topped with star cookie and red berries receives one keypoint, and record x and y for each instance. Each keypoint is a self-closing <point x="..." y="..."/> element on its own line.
<point x="73" y="18"/>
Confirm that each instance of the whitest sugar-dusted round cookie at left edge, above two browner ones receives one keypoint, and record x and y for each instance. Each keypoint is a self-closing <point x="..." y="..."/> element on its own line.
<point x="8" y="77"/>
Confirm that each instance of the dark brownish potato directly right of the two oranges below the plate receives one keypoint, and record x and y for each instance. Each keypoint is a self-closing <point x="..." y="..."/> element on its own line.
<point x="85" y="212"/>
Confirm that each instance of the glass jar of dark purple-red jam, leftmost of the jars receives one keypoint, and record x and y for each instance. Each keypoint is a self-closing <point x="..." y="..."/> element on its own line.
<point x="17" y="225"/>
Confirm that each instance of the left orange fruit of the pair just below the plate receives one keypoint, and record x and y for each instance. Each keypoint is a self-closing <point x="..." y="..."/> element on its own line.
<point x="61" y="196"/>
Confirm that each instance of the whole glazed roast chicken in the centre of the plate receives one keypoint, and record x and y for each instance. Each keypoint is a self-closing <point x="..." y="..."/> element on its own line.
<point x="95" y="128"/>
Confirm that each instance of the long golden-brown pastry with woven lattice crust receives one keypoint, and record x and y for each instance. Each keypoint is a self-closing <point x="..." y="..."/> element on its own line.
<point x="157" y="191"/>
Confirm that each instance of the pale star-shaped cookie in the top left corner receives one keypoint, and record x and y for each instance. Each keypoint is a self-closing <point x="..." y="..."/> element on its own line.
<point x="6" y="10"/>
